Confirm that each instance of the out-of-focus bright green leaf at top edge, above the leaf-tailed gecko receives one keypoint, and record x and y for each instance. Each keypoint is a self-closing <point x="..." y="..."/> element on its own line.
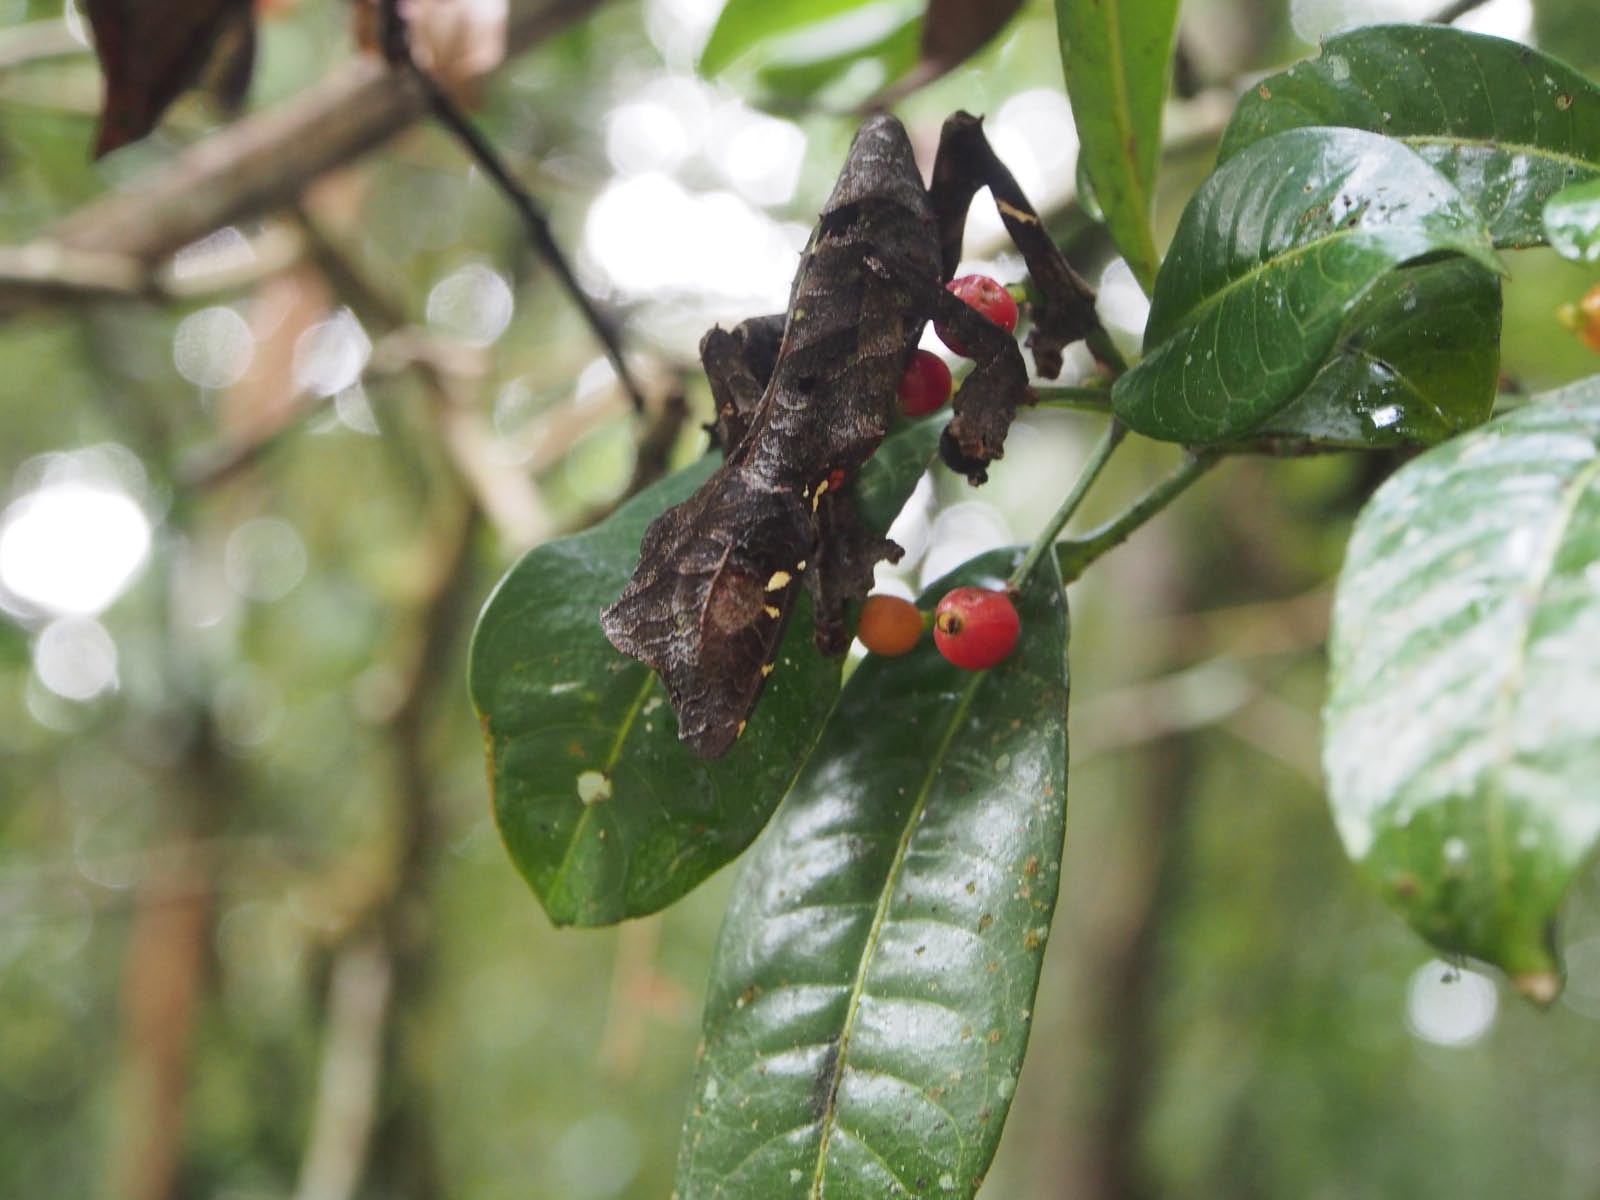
<point x="802" y="31"/>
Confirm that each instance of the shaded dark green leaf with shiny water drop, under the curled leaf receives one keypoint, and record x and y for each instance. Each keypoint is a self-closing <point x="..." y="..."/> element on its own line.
<point x="1417" y="362"/>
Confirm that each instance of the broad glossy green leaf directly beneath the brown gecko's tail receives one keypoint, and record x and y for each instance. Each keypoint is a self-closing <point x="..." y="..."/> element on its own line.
<point x="604" y="810"/>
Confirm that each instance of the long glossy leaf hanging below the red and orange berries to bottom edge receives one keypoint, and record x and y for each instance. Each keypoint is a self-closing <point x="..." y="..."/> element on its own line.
<point x="873" y="988"/>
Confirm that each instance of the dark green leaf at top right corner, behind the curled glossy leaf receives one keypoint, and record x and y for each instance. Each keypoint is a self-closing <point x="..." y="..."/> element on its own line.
<point x="1506" y="124"/>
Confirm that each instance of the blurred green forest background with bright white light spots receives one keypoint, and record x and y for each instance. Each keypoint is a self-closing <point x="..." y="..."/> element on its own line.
<point x="252" y="900"/>
